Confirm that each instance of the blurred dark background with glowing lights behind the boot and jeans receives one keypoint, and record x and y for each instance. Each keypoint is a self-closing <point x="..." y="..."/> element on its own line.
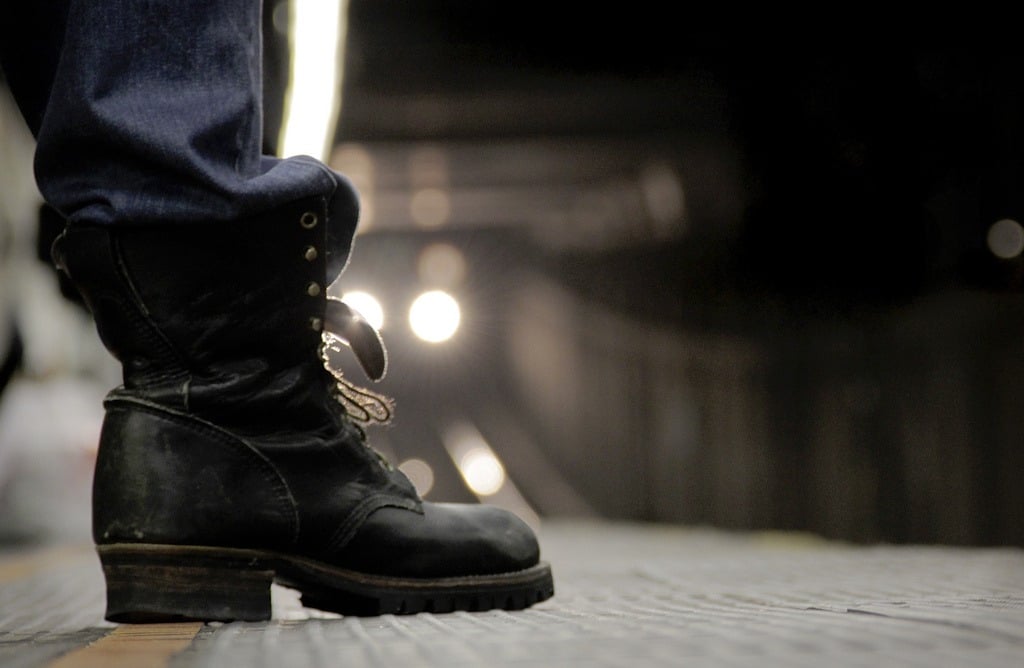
<point x="627" y="267"/>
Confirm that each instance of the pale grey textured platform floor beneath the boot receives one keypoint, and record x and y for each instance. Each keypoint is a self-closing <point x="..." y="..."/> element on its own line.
<point x="626" y="596"/>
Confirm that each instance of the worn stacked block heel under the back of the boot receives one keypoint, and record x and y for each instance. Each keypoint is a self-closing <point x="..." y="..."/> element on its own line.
<point x="157" y="583"/>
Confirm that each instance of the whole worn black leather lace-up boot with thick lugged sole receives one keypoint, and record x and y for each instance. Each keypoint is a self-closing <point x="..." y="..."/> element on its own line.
<point x="228" y="461"/>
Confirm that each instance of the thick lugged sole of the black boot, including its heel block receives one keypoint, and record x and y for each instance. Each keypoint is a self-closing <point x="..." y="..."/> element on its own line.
<point x="165" y="583"/>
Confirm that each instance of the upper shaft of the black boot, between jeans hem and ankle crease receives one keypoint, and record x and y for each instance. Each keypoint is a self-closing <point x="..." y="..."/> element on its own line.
<point x="222" y="320"/>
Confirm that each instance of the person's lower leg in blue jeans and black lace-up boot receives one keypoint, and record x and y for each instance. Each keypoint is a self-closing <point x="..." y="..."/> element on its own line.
<point x="228" y="458"/>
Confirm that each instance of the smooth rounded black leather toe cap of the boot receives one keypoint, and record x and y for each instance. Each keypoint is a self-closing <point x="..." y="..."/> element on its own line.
<point x="448" y="540"/>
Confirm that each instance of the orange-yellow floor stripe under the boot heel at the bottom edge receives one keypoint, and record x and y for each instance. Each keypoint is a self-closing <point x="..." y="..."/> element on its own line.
<point x="134" y="646"/>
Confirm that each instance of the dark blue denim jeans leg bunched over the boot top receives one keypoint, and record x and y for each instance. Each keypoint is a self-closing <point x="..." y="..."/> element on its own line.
<point x="151" y="112"/>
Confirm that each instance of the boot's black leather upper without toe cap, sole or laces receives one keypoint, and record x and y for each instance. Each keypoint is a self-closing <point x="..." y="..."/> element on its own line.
<point x="229" y="430"/>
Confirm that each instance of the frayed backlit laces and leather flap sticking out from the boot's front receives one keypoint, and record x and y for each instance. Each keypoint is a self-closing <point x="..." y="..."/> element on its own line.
<point x="346" y="326"/>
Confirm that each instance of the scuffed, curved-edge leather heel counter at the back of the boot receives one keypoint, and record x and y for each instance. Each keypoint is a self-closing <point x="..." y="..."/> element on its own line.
<point x="162" y="480"/>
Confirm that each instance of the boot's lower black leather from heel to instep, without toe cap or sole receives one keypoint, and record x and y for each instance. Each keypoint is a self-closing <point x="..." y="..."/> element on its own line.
<point x="163" y="477"/>
